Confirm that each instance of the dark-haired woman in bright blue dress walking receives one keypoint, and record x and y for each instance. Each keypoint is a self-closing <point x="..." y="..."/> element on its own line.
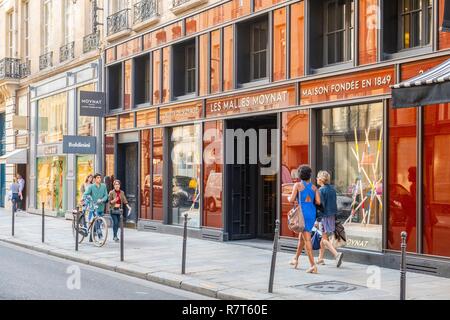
<point x="307" y="195"/>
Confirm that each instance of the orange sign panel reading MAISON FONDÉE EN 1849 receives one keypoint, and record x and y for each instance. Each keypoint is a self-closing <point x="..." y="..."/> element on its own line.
<point x="361" y="84"/>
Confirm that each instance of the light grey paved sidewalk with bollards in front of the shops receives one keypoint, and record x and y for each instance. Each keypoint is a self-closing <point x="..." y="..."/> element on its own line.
<point x="220" y="270"/>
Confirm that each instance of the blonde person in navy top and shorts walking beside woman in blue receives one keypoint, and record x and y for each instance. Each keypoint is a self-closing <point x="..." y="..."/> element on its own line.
<point x="328" y="200"/>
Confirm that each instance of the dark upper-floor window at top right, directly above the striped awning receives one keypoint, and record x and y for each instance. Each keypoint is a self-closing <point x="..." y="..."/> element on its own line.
<point x="412" y="21"/>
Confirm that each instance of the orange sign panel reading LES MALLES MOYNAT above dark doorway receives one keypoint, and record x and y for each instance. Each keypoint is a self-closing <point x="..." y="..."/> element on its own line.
<point x="252" y="102"/>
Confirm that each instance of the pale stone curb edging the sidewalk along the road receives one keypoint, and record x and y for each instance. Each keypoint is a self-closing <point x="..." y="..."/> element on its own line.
<point x="177" y="281"/>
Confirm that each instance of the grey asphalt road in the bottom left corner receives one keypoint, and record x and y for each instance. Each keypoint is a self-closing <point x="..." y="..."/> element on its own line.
<point x="28" y="275"/>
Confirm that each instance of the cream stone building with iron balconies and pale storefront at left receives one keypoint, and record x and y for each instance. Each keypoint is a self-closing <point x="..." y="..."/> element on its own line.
<point x="51" y="52"/>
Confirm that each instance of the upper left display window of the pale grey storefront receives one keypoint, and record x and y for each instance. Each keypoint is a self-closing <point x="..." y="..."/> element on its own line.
<point x="52" y="118"/>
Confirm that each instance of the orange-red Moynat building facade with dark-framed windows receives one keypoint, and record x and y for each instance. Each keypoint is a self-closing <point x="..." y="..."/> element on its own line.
<point x="318" y="71"/>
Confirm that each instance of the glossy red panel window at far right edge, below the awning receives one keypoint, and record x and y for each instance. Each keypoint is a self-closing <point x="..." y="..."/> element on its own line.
<point x="436" y="189"/>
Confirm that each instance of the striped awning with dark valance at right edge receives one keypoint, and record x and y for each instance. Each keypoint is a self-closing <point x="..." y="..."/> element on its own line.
<point x="430" y="87"/>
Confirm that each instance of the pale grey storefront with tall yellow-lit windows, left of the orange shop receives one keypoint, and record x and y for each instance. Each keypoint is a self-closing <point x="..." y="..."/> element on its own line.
<point x="55" y="177"/>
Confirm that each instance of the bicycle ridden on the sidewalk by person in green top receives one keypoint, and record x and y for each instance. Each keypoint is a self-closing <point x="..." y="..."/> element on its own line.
<point x="97" y="228"/>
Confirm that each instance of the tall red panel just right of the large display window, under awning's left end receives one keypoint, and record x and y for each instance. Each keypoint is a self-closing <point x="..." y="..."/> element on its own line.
<point x="402" y="177"/>
